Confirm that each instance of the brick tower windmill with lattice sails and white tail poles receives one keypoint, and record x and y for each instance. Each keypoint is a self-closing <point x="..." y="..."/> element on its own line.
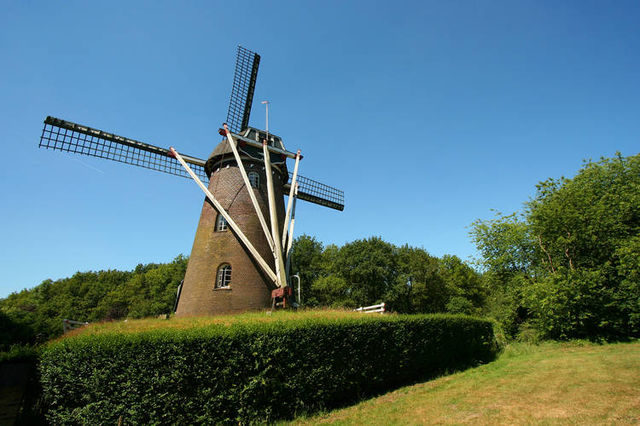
<point x="241" y="253"/>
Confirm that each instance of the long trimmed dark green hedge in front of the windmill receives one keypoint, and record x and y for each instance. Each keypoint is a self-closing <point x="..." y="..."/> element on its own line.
<point x="247" y="373"/>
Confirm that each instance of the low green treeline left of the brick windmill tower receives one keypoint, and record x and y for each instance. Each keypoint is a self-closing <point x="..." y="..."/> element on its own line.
<point x="34" y="316"/>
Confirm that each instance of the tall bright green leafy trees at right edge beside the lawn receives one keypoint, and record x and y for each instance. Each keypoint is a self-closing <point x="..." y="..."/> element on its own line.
<point x="569" y="265"/>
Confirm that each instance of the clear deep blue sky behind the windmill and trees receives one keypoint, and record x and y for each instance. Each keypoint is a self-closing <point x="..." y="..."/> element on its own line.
<point x="427" y="114"/>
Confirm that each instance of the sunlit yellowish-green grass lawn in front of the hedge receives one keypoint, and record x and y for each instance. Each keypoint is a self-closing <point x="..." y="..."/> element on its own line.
<point x="554" y="383"/>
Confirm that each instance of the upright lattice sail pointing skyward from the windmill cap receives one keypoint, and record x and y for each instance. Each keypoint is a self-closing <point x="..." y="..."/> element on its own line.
<point x="244" y="84"/>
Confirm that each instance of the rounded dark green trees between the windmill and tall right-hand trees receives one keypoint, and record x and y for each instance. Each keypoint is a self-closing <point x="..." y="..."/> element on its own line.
<point x="369" y="271"/>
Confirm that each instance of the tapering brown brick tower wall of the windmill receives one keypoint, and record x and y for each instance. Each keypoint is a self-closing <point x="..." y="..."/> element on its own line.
<point x="250" y="289"/>
